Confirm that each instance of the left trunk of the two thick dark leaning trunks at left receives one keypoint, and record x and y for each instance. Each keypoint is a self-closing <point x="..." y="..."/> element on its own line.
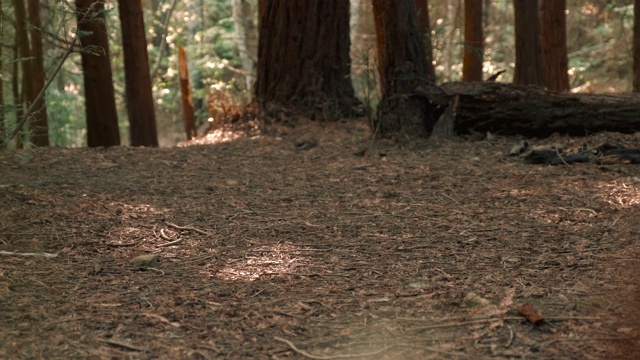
<point x="100" y="104"/>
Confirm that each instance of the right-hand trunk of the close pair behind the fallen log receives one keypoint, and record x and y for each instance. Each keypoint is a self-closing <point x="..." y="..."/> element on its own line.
<point x="554" y="44"/>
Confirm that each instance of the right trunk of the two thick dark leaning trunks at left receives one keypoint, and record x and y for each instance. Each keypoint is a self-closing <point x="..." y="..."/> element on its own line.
<point x="142" y="120"/>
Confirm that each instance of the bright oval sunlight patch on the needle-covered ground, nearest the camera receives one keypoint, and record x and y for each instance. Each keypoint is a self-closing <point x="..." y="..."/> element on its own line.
<point x="277" y="259"/>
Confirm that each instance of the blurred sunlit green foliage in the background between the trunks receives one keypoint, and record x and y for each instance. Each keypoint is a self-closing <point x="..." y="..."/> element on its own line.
<point x="214" y="35"/>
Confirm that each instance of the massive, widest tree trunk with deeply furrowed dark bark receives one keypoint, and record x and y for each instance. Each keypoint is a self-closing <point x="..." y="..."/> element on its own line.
<point x="303" y="59"/>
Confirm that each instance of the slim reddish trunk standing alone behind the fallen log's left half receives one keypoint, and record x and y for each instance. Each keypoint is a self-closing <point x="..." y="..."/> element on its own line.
<point x="473" y="38"/>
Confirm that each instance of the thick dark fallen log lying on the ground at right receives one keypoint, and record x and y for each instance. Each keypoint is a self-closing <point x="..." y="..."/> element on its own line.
<point x="532" y="111"/>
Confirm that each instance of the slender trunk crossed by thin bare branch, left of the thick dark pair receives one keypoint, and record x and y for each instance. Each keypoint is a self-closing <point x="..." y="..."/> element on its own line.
<point x="38" y="126"/>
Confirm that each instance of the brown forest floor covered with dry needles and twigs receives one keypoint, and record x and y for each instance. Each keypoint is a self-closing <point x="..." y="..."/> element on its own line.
<point x="316" y="242"/>
